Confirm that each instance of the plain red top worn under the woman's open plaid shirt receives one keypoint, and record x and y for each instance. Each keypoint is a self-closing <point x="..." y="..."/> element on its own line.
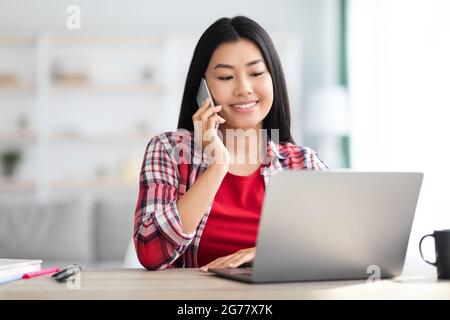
<point x="233" y="222"/>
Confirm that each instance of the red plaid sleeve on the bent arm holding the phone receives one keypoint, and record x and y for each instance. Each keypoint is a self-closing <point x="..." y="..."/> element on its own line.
<point x="158" y="236"/>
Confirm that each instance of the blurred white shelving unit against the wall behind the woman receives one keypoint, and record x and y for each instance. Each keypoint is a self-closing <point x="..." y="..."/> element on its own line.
<point x="52" y="69"/>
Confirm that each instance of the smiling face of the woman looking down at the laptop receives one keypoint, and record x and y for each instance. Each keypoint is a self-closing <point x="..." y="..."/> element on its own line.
<point x="240" y="82"/>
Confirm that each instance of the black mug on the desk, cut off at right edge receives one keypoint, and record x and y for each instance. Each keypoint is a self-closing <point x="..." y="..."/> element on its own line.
<point x="442" y="246"/>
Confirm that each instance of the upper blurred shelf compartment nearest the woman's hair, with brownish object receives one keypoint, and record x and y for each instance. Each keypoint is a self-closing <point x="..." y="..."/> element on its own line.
<point x="107" y="64"/>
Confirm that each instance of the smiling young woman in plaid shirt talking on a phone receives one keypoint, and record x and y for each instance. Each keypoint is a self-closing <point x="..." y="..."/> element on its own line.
<point x="202" y="189"/>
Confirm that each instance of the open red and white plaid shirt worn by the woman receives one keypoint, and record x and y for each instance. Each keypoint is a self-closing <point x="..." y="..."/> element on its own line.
<point x="170" y="167"/>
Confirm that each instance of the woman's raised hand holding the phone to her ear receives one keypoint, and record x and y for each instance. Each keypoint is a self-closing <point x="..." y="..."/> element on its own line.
<point x="206" y="120"/>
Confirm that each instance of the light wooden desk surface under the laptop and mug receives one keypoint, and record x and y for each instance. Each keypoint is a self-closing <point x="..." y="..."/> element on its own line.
<point x="193" y="284"/>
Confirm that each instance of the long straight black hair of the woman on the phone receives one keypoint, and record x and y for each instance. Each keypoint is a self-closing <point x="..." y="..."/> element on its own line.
<point x="231" y="30"/>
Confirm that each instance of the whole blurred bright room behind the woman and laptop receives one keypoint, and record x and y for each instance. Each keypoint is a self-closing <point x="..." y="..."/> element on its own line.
<point x="85" y="84"/>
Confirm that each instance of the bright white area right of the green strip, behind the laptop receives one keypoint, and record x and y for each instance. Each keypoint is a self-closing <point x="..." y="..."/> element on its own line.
<point x="399" y="83"/>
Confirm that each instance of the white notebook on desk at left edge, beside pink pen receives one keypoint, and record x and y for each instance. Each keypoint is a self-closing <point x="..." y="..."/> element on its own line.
<point x="11" y="269"/>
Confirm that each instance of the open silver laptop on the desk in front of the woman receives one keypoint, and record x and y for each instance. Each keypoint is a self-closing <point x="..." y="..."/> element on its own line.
<point x="332" y="226"/>
